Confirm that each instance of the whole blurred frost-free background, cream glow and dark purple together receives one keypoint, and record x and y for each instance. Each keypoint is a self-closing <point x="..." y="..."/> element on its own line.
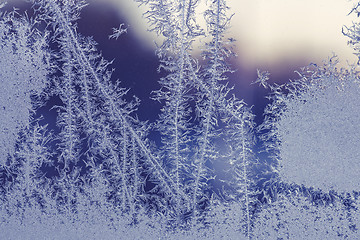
<point x="280" y="36"/>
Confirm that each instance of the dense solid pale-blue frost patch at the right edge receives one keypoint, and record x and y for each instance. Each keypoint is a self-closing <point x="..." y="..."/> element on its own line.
<point x="318" y="130"/>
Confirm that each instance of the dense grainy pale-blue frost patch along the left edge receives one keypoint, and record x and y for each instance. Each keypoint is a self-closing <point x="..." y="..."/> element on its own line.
<point x="24" y="66"/>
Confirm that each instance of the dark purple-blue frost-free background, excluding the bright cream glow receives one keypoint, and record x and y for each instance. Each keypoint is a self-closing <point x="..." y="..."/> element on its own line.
<point x="135" y="62"/>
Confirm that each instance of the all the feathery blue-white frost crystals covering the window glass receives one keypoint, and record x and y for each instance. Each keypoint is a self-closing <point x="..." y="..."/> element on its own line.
<point x="214" y="174"/>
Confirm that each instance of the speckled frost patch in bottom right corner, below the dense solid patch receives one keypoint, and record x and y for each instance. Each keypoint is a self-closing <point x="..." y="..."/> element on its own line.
<point x="296" y="217"/>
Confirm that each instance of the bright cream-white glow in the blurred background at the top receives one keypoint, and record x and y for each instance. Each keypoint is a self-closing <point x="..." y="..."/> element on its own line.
<point x="272" y="32"/>
